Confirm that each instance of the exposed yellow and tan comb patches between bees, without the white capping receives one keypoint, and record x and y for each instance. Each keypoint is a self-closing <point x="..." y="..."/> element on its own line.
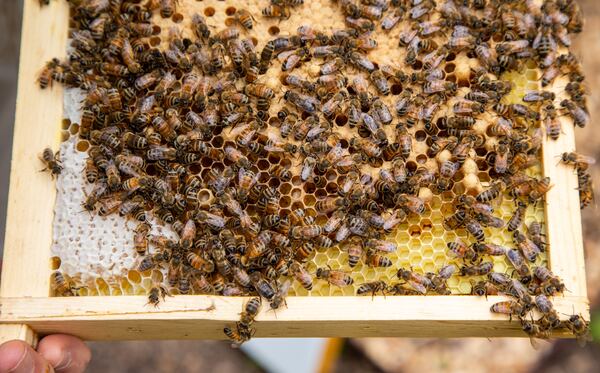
<point x="421" y="239"/>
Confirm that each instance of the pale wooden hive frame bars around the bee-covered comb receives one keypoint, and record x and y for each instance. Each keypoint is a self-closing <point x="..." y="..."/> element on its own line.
<point x="26" y="310"/>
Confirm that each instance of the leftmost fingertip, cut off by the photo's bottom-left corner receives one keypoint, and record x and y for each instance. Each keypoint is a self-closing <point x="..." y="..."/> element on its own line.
<point x="19" y="357"/>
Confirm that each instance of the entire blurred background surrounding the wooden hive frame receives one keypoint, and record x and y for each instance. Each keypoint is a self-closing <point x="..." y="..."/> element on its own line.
<point x="356" y="355"/>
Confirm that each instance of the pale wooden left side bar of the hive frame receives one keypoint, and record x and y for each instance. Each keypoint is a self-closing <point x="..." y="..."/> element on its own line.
<point x="37" y="121"/>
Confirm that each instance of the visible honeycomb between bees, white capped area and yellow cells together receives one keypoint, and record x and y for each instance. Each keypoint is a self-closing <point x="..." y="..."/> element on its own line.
<point x="97" y="251"/>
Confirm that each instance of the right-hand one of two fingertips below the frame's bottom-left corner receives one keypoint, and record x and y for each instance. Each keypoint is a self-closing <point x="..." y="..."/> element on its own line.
<point x="67" y="354"/>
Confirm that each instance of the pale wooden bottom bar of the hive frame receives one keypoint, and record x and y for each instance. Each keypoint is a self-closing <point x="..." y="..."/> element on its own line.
<point x="190" y="317"/>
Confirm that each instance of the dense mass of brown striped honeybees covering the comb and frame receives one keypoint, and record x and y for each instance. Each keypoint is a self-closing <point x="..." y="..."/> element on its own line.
<point x="154" y="113"/>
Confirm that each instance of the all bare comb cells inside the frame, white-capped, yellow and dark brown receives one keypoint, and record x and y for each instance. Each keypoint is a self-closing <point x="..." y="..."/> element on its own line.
<point x="421" y="239"/>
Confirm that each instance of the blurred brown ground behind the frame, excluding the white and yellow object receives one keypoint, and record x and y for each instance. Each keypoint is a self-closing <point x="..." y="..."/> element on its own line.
<point x="387" y="354"/>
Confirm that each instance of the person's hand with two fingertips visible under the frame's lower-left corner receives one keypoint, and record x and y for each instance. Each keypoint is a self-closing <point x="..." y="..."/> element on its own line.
<point x="55" y="353"/>
